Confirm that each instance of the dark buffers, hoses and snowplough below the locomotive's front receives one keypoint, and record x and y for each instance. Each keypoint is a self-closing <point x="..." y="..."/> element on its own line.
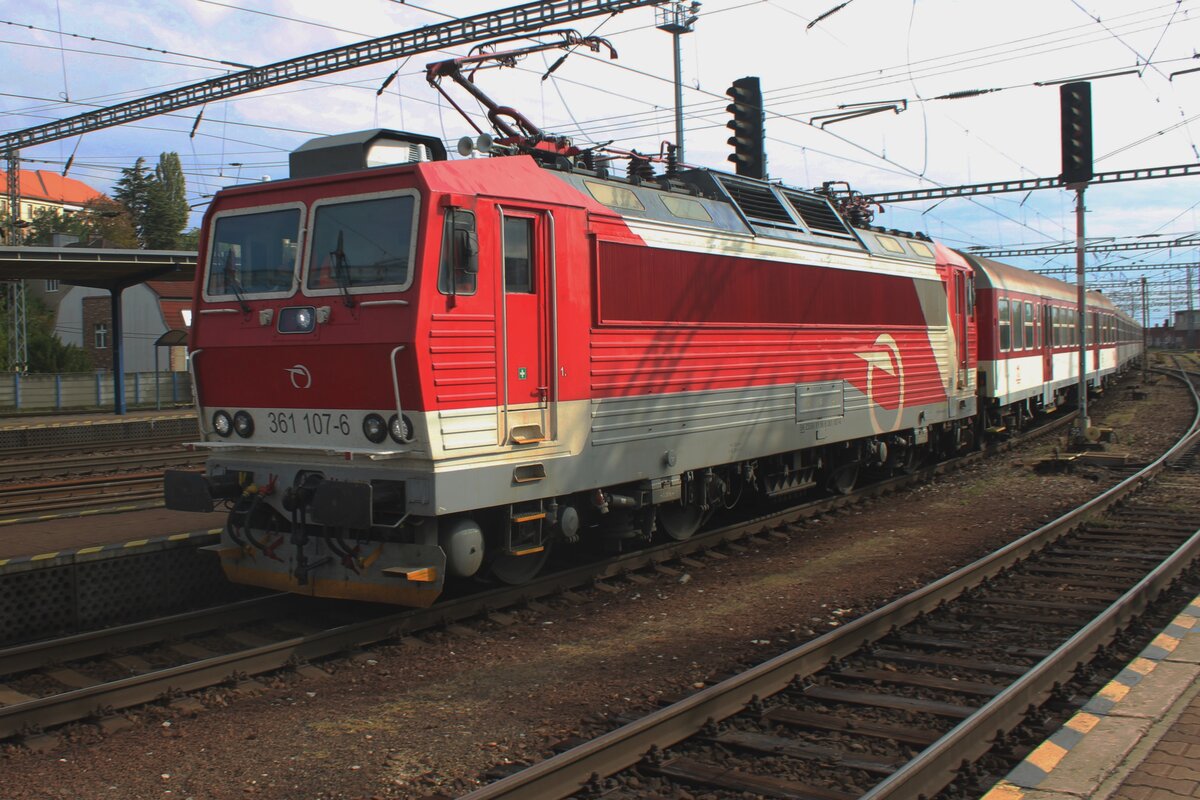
<point x="329" y="538"/>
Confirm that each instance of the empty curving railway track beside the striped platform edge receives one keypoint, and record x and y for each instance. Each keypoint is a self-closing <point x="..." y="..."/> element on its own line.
<point x="899" y="702"/>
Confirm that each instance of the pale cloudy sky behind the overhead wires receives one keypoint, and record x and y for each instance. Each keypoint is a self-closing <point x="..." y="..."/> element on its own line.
<point x="814" y="58"/>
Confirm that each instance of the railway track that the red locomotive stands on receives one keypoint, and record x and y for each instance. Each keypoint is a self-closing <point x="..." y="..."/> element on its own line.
<point x="64" y="681"/>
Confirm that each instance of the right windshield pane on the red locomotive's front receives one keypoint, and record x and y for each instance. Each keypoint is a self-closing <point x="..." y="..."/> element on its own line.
<point x="362" y="244"/>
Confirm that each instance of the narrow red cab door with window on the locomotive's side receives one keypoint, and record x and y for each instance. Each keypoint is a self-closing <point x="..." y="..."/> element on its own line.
<point x="527" y="251"/>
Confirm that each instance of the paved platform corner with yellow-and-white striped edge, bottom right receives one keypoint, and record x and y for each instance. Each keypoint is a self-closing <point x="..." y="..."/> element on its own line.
<point x="1137" y="739"/>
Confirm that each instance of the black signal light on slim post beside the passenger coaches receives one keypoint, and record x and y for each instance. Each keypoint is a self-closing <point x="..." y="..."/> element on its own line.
<point x="1077" y="170"/>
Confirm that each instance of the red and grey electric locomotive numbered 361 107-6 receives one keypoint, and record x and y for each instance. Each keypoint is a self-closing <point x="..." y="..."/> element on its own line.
<point x="442" y="369"/>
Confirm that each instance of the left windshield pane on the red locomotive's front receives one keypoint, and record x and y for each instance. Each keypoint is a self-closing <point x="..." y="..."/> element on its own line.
<point x="254" y="254"/>
